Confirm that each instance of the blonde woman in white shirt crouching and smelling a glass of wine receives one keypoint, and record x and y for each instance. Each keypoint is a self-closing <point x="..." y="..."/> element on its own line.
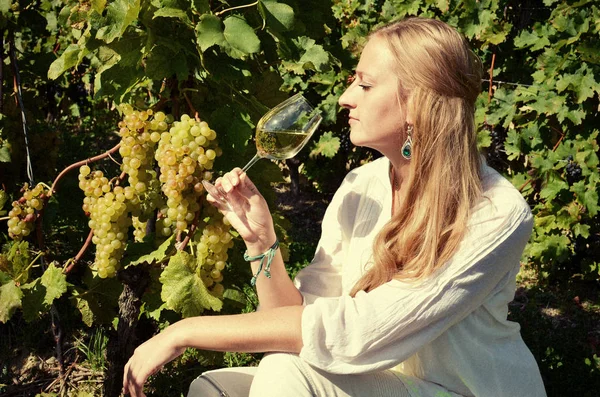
<point x="407" y="294"/>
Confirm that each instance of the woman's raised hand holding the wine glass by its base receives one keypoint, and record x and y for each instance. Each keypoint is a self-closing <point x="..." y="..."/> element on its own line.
<point x="247" y="212"/>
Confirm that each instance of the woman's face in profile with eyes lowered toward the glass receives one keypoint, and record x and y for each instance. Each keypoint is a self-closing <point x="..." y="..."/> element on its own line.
<point x="376" y="118"/>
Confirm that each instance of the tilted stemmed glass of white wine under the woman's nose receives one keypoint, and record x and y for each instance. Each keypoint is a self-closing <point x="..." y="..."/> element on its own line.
<point x="280" y="134"/>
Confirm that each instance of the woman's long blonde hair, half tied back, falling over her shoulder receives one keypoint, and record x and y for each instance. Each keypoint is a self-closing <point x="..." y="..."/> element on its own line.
<point x="440" y="79"/>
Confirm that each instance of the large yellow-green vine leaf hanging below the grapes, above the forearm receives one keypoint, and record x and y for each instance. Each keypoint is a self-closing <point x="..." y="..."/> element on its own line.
<point x="183" y="291"/>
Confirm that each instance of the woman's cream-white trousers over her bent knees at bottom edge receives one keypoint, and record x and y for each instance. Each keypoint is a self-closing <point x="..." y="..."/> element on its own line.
<point x="284" y="374"/>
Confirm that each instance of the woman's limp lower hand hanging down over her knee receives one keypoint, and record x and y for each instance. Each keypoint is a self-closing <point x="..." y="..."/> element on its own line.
<point x="148" y="359"/>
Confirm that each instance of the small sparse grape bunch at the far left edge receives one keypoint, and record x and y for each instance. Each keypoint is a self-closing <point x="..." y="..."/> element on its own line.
<point x="22" y="216"/>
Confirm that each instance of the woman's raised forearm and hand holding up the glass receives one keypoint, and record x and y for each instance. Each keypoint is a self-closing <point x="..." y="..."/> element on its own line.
<point x="249" y="214"/>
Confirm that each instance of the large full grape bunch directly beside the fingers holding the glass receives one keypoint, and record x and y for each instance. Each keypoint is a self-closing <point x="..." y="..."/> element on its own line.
<point x="185" y="155"/>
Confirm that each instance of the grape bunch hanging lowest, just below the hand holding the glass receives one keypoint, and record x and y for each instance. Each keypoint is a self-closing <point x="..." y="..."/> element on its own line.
<point x="211" y="250"/>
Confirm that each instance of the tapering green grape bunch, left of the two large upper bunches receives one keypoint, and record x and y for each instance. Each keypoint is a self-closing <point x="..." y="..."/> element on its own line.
<point x="109" y="220"/>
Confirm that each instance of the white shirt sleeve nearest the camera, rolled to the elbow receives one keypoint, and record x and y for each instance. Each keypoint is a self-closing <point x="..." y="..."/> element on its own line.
<point x="382" y="328"/>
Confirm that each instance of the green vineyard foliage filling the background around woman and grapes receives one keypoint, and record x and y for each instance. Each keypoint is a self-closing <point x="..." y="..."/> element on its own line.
<point x="227" y="62"/>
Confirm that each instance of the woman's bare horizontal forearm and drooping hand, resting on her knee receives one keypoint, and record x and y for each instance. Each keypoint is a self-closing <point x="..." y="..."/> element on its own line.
<point x="277" y="329"/>
